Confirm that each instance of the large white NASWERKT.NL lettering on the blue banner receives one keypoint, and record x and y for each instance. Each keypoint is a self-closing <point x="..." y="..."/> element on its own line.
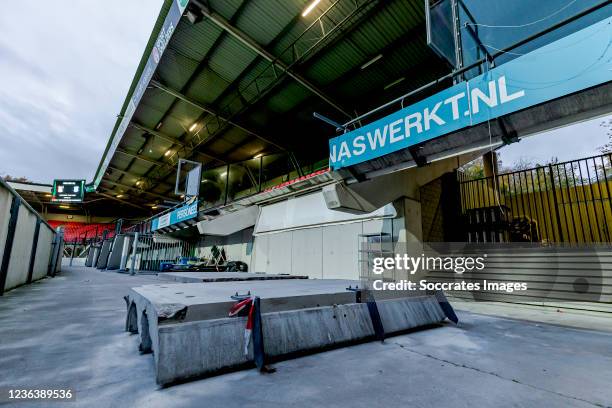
<point x="423" y="120"/>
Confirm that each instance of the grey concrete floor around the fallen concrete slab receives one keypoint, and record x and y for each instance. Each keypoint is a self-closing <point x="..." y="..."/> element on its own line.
<point x="69" y="330"/>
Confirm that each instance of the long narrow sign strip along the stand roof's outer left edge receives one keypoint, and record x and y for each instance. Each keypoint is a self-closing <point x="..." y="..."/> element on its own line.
<point x="165" y="33"/>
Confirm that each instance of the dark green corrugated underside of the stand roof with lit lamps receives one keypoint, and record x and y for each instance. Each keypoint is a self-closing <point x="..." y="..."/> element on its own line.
<point x="220" y="65"/>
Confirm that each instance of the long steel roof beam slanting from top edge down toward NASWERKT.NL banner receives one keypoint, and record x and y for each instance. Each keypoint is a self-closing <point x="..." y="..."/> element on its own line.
<point x="241" y="36"/>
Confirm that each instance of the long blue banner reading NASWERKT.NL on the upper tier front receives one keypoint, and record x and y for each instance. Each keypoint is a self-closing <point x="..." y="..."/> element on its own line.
<point x="571" y="64"/>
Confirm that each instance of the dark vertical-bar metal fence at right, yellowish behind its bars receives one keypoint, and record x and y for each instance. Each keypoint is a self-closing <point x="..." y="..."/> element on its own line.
<point x="559" y="202"/>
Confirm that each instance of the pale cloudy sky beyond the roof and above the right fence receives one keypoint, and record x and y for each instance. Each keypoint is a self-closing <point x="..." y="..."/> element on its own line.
<point x="66" y="66"/>
